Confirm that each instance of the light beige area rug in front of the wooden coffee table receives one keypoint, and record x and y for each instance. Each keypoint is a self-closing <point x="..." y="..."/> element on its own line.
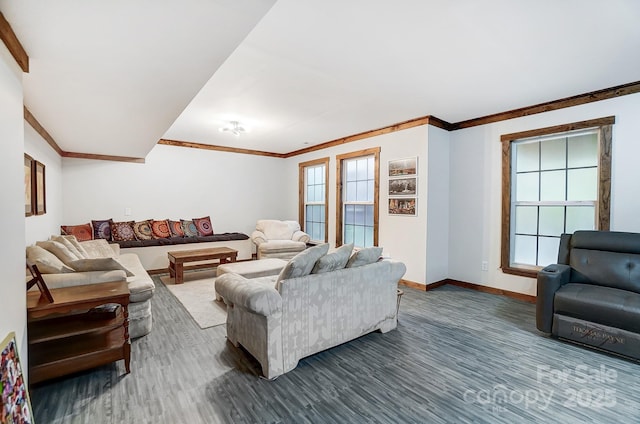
<point x="197" y="295"/>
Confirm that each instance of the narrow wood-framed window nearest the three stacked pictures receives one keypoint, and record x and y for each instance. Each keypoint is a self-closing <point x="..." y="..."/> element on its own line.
<point x="357" y="198"/>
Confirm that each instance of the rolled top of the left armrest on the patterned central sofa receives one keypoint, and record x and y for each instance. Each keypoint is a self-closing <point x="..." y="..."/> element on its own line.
<point x="239" y="291"/>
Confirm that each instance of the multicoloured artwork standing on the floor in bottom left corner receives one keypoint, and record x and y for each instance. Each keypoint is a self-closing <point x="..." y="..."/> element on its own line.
<point x="15" y="406"/>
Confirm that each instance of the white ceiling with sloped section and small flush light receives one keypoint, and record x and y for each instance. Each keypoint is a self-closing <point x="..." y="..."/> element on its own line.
<point x="114" y="77"/>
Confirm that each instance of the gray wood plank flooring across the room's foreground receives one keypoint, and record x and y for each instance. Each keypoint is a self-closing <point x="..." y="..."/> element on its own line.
<point x="457" y="355"/>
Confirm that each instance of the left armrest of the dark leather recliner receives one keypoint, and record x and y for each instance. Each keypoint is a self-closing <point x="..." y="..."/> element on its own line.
<point x="550" y="279"/>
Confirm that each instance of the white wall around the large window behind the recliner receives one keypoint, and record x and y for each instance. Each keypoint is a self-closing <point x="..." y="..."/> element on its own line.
<point x="476" y="179"/>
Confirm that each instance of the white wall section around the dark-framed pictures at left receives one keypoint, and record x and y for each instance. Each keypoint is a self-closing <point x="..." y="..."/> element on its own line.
<point x="41" y="227"/>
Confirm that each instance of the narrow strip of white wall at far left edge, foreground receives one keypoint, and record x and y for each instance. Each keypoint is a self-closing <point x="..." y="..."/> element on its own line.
<point x="12" y="257"/>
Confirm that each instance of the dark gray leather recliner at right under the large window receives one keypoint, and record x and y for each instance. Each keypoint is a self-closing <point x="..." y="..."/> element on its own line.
<point x="592" y="295"/>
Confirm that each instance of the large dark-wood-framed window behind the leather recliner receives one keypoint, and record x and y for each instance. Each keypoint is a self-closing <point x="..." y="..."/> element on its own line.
<point x="556" y="180"/>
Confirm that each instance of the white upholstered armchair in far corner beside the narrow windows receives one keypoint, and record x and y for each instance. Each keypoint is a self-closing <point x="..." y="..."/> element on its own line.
<point x="279" y="239"/>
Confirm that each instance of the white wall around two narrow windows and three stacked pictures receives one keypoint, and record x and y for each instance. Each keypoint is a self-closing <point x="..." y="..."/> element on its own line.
<point x="402" y="237"/>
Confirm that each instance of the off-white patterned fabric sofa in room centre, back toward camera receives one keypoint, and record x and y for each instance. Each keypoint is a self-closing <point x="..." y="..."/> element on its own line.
<point x="315" y="303"/>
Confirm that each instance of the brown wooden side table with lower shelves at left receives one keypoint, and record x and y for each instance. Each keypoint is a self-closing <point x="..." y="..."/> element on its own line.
<point x="64" y="337"/>
